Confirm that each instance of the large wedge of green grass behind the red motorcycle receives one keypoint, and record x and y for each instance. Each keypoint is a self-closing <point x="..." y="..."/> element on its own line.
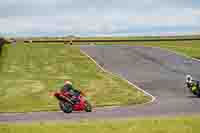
<point x="29" y="72"/>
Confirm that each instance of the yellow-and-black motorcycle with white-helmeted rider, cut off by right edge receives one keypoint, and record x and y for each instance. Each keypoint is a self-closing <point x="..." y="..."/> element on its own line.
<point x="193" y="85"/>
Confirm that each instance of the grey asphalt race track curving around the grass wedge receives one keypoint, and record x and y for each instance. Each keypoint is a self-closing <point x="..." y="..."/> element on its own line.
<point x="159" y="72"/>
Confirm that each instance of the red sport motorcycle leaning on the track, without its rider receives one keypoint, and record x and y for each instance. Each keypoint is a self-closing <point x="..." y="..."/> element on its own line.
<point x="67" y="105"/>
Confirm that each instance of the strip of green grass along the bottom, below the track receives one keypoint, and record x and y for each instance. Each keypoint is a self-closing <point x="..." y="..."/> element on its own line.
<point x="155" y="125"/>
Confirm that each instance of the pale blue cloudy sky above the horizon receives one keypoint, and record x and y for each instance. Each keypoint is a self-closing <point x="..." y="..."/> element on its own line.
<point x="99" y="17"/>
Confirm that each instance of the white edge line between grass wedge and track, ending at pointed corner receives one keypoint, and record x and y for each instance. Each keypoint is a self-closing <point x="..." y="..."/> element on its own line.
<point x="135" y="86"/>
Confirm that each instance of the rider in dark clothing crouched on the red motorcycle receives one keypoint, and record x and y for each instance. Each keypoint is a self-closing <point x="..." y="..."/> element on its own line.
<point x="68" y="87"/>
